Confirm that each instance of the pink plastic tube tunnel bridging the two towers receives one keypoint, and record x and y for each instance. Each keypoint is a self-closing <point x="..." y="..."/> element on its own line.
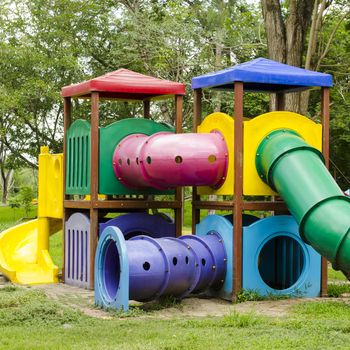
<point x="166" y="160"/>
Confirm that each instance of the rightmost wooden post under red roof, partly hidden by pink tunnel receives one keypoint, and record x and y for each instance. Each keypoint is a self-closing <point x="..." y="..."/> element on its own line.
<point x="179" y="190"/>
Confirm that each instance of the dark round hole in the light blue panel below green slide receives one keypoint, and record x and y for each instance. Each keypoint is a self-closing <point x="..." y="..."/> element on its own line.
<point x="281" y="262"/>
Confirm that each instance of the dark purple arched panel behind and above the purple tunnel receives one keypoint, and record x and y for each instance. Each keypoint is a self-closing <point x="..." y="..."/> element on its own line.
<point x="135" y="224"/>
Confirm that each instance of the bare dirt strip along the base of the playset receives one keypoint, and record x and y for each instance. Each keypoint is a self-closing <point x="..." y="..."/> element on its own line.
<point x="83" y="300"/>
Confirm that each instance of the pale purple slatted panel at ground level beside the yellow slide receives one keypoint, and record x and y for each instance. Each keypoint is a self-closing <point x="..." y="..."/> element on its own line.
<point x="77" y="243"/>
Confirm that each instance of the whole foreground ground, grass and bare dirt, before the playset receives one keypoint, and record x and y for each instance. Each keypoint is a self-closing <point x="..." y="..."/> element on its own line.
<point x="64" y="317"/>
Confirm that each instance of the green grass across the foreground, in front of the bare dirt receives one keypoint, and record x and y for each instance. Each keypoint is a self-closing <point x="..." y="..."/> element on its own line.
<point x="28" y="320"/>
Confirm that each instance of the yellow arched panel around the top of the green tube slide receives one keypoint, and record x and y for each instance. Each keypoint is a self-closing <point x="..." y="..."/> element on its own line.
<point x="256" y="129"/>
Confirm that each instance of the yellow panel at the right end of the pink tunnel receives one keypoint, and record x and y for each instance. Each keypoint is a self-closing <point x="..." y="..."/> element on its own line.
<point x="225" y="125"/>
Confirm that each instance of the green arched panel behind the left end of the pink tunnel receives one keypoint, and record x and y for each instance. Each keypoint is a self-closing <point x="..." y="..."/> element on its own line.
<point x="110" y="136"/>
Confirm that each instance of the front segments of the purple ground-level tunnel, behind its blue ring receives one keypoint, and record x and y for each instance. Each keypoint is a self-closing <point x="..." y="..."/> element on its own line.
<point x="166" y="266"/>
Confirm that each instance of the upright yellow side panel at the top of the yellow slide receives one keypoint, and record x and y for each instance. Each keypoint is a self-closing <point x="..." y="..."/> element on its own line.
<point x="50" y="188"/>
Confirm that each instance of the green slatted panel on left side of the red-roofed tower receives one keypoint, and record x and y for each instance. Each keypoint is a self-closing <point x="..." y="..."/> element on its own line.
<point x="78" y="158"/>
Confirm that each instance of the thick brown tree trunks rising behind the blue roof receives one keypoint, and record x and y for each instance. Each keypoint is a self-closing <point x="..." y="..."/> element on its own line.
<point x="293" y="26"/>
